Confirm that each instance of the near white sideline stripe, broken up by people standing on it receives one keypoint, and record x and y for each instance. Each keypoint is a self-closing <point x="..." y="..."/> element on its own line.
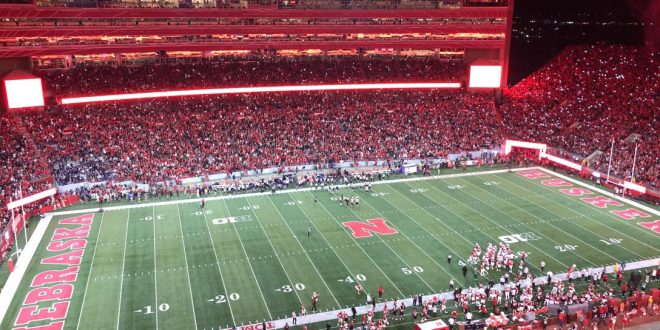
<point x="332" y="315"/>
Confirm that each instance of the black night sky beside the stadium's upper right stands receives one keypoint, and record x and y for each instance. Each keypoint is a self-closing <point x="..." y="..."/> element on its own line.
<point x="542" y="28"/>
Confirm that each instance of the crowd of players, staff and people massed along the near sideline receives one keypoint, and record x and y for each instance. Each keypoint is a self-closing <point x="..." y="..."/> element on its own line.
<point x="592" y="298"/>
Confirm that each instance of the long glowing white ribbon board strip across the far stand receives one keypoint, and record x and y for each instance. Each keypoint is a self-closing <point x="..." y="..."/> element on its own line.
<point x="266" y="89"/>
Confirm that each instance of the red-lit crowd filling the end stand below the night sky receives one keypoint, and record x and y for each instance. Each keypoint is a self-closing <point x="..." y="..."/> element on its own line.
<point x="587" y="97"/>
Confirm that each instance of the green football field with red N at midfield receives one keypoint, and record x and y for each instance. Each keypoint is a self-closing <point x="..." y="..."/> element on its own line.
<point x="245" y="259"/>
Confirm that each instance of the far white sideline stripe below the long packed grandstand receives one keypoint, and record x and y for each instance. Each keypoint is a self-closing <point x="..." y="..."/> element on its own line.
<point x="285" y="191"/>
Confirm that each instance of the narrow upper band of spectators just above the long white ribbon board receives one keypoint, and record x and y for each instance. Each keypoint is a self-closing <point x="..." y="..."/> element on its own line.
<point x="95" y="79"/>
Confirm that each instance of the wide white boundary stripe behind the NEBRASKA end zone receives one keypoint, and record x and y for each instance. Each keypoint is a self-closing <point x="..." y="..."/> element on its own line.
<point x="16" y="277"/>
